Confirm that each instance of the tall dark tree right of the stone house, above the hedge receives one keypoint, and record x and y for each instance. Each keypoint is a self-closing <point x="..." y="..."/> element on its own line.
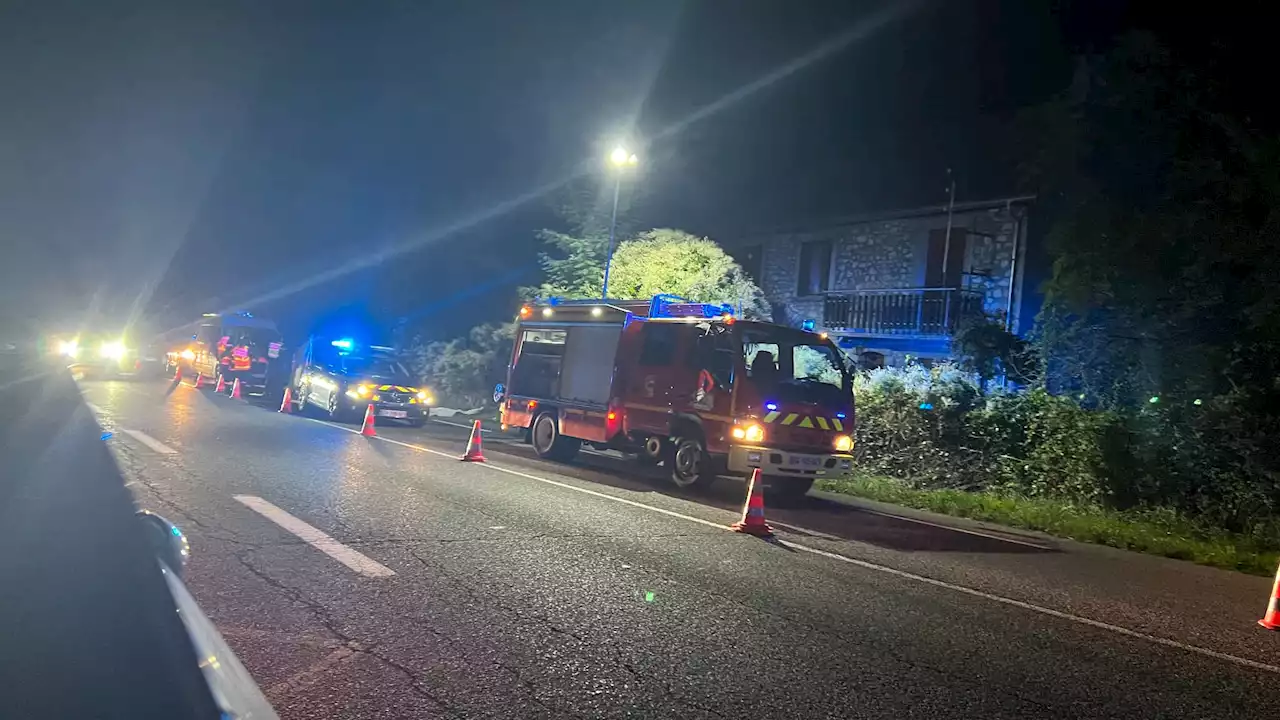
<point x="1165" y="204"/>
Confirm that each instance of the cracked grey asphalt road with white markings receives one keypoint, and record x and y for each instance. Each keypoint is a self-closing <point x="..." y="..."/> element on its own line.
<point x="382" y="578"/>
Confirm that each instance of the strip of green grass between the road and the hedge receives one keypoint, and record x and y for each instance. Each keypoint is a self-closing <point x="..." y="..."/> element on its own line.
<point x="1156" y="532"/>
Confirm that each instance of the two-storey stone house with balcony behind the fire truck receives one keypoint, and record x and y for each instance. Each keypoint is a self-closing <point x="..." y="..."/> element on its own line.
<point x="899" y="285"/>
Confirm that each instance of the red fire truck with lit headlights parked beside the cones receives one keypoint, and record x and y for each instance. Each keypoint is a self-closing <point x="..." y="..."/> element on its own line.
<point x="684" y="384"/>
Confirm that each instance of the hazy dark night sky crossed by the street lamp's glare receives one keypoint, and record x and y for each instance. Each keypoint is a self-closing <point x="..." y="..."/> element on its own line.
<point x="314" y="161"/>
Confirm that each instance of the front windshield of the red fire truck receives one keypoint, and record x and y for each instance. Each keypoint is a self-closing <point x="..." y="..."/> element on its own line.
<point x="801" y="367"/>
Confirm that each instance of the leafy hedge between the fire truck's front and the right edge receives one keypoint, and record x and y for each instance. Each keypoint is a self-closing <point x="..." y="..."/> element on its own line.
<point x="1210" y="462"/>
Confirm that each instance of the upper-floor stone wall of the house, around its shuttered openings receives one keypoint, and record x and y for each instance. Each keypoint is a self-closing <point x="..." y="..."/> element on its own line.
<point x="892" y="254"/>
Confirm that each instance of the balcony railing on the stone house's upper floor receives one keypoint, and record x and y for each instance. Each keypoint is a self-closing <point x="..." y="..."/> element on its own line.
<point x="911" y="312"/>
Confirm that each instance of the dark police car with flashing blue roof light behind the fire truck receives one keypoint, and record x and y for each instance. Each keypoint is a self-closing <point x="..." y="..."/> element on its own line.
<point x="342" y="380"/>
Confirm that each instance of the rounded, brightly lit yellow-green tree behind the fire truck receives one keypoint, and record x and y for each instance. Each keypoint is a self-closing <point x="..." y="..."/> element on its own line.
<point x="675" y="262"/>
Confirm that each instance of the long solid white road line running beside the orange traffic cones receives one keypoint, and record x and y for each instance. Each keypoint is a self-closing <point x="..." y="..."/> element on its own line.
<point x="875" y="567"/>
